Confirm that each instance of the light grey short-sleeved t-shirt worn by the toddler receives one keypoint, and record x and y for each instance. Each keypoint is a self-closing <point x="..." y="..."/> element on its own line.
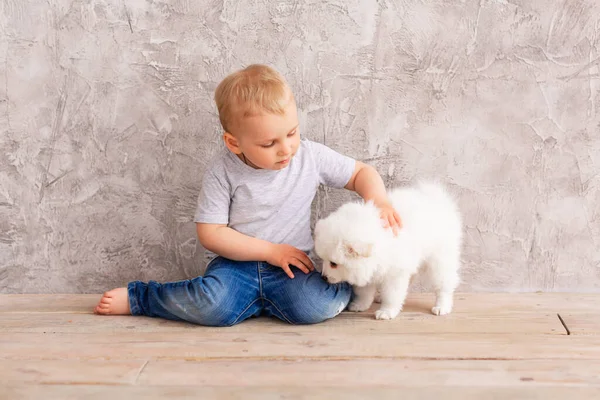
<point x="270" y="205"/>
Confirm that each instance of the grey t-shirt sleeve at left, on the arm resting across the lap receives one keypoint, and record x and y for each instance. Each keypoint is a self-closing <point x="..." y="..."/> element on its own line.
<point x="214" y="199"/>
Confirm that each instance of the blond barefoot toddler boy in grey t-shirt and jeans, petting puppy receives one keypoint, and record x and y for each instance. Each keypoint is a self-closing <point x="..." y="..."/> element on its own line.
<point x="253" y="215"/>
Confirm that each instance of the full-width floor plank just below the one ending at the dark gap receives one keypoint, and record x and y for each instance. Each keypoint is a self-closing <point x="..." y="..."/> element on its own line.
<point x="201" y="345"/>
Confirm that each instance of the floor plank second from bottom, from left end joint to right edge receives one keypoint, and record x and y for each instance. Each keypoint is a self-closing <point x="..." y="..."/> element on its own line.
<point x="361" y="373"/>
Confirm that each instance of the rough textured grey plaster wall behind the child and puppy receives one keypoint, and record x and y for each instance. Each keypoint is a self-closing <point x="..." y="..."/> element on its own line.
<point x="107" y="122"/>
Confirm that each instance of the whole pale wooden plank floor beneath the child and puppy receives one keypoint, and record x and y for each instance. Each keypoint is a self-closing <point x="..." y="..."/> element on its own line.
<point x="500" y="346"/>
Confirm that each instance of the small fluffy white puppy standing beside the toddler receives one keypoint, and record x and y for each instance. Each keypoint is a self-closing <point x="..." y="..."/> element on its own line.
<point x="356" y="248"/>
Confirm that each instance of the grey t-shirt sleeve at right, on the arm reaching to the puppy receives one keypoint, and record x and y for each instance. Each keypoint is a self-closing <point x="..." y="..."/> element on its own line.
<point x="335" y="169"/>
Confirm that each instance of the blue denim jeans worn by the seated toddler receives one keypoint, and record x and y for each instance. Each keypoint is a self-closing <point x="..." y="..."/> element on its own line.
<point x="232" y="291"/>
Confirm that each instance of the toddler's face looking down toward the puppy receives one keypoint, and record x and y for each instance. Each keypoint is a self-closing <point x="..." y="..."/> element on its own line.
<point x="266" y="141"/>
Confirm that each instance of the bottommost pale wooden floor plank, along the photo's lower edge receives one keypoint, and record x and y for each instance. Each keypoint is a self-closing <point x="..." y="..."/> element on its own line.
<point x="102" y="392"/>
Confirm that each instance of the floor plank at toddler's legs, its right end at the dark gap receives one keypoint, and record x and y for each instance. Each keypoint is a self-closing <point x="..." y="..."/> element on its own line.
<point x="407" y="322"/>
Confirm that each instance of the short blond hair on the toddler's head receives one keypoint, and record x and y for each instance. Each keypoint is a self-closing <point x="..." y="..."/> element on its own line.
<point x="251" y="91"/>
